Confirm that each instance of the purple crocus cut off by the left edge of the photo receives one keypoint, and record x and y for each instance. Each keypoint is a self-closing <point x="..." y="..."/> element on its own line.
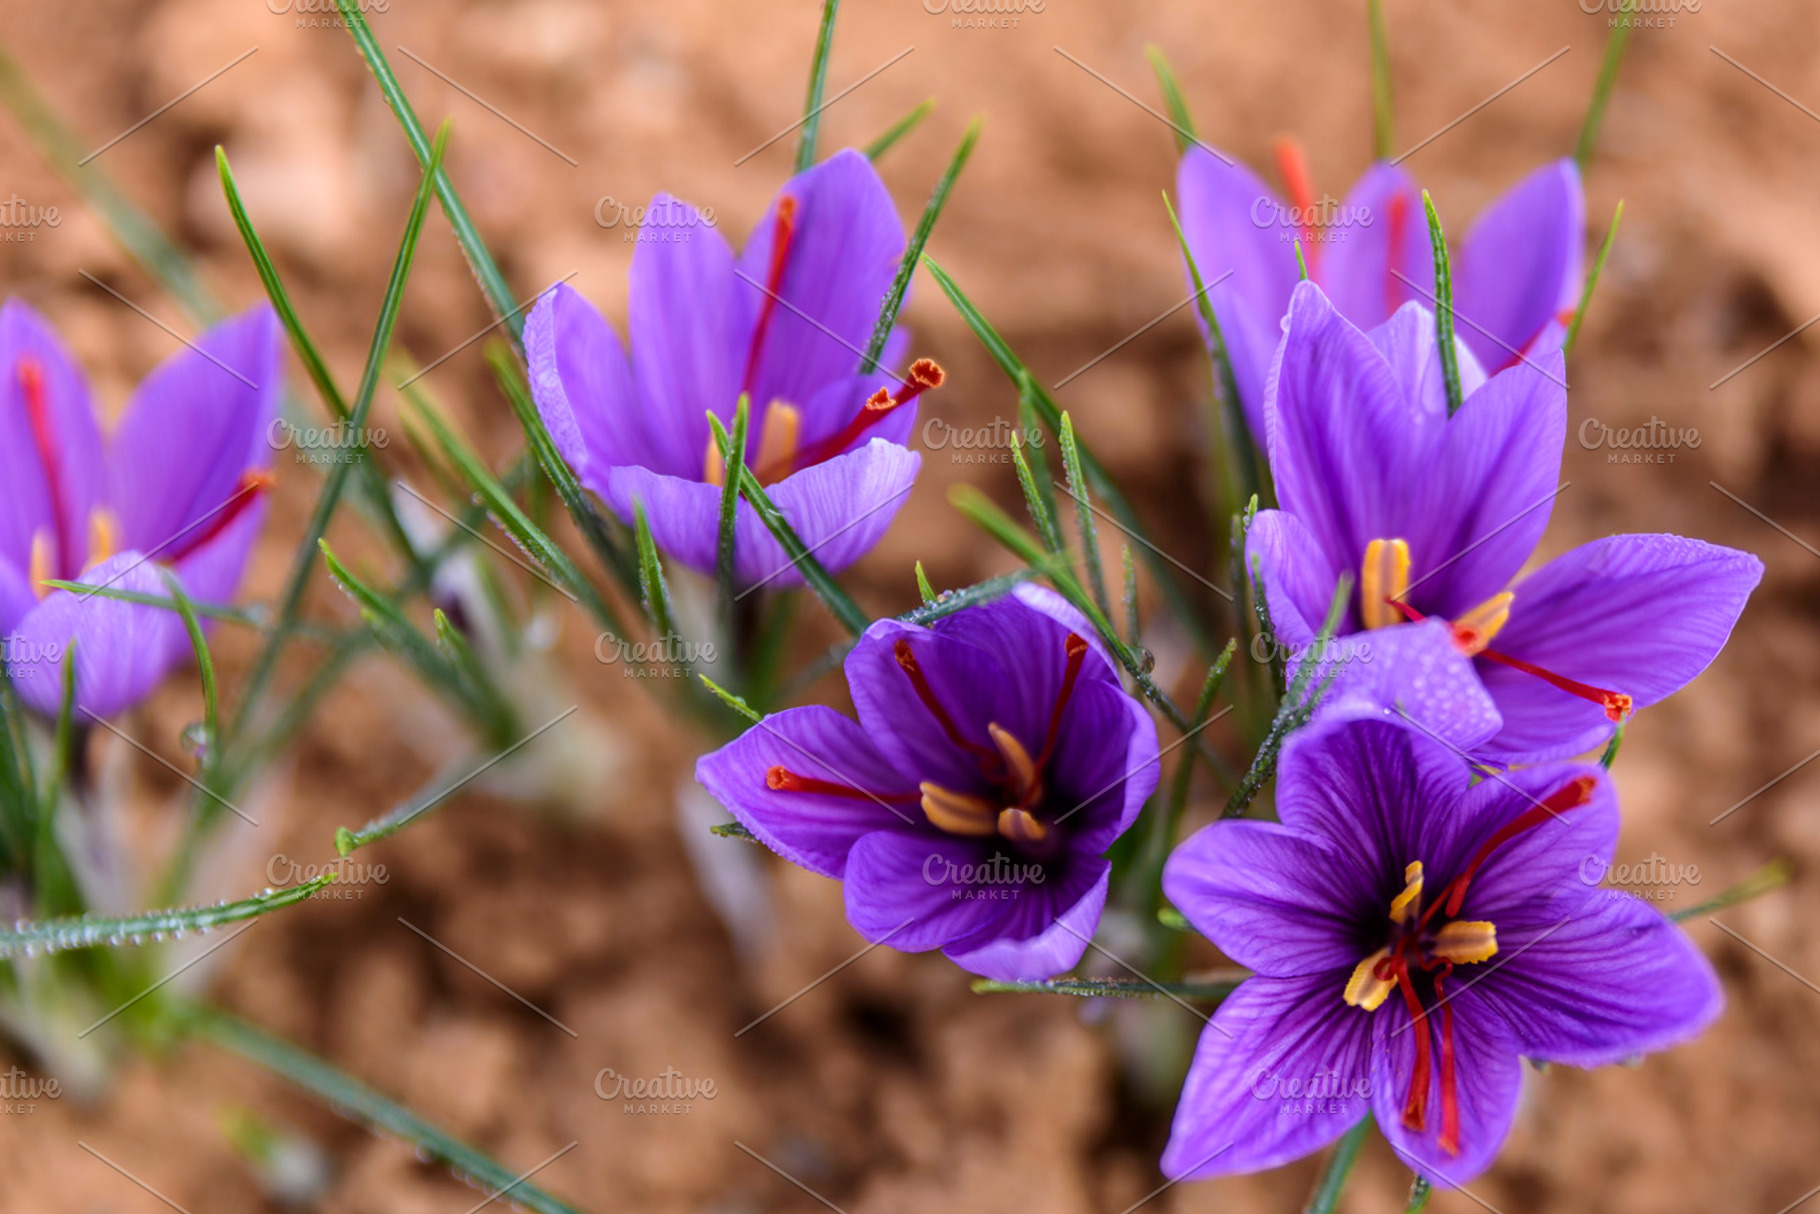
<point x="179" y="483"/>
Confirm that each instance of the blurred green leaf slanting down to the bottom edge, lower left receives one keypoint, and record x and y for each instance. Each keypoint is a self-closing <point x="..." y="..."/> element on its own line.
<point x="363" y="1106"/>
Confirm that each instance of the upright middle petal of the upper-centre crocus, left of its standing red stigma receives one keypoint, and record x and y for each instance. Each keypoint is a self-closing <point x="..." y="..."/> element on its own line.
<point x="687" y="347"/>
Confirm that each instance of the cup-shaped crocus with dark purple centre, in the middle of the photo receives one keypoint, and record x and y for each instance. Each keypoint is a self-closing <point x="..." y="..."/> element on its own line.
<point x="995" y="762"/>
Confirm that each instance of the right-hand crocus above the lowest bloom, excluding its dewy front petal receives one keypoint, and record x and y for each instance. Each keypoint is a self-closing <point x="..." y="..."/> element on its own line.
<point x="1437" y="516"/>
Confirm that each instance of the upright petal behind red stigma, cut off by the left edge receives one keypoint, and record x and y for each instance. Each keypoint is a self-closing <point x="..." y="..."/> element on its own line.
<point x="74" y="440"/>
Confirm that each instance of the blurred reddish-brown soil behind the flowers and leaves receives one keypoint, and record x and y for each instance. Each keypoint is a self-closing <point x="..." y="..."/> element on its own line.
<point x="891" y="1088"/>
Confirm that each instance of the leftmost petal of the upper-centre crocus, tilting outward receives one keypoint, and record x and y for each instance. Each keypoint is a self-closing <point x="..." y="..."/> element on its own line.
<point x="583" y="387"/>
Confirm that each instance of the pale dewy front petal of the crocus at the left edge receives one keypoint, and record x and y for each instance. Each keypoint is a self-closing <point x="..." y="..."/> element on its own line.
<point x="123" y="649"/>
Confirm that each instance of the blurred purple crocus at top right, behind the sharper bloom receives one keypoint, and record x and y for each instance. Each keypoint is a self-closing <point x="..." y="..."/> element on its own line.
<point x="1517" y="272"/>
